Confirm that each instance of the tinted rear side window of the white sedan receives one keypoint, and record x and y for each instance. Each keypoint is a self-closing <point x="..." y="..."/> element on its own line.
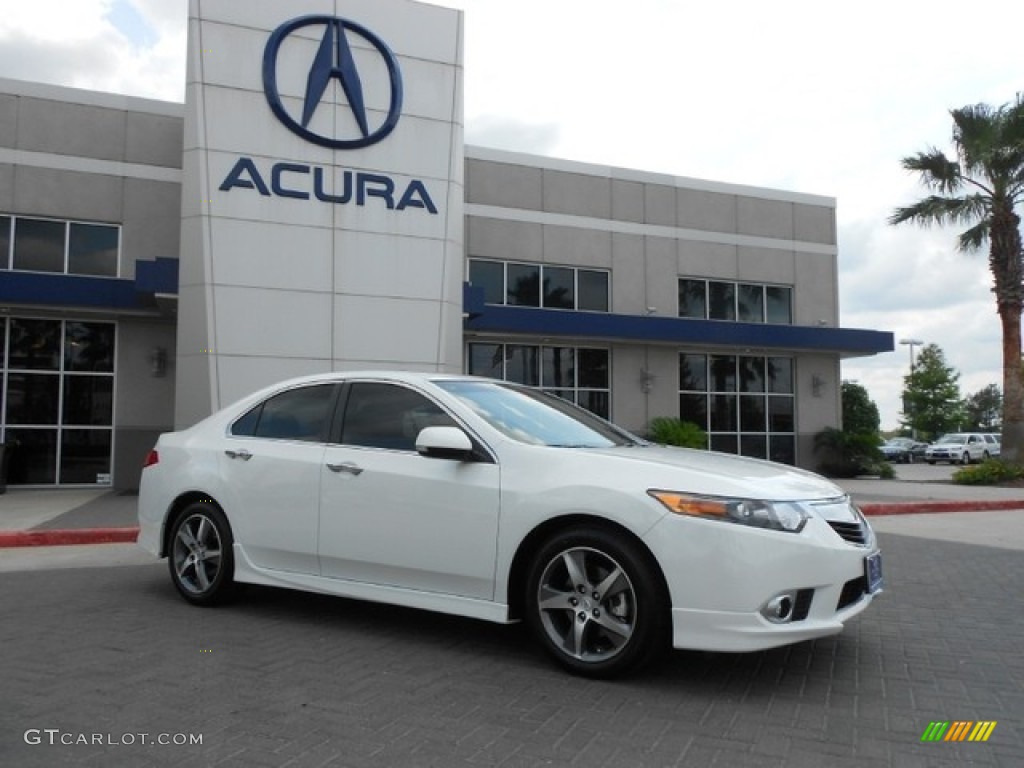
<point x="303" y="414"/>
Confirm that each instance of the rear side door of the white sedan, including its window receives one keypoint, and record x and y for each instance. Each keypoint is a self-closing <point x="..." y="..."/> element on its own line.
<point x="272" y="460"/>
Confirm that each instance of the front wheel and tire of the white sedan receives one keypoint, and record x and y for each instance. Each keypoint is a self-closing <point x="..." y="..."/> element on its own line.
<point x="596" y="604"/>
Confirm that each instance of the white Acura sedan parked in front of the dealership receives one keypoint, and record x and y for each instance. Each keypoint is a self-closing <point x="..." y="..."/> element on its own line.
<point x="489" y="500"/>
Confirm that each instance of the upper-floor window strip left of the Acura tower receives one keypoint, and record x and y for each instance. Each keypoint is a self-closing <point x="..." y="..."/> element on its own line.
<point x="38" y="245"/>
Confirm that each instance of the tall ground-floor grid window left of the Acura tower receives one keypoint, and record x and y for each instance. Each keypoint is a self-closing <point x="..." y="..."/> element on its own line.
<point x="58" y="415"/>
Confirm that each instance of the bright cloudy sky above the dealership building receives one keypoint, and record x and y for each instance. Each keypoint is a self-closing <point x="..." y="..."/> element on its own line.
<point x="800" y="96"/>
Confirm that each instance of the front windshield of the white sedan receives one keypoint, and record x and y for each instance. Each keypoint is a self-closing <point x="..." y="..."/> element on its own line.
<point x="536" y="418"/>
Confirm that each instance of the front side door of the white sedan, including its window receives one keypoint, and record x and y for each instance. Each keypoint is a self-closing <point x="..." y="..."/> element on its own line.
<point x="391" y="517"/>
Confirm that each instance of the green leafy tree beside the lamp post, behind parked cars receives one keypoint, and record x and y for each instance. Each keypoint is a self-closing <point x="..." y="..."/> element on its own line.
<point x="931" y="396"/>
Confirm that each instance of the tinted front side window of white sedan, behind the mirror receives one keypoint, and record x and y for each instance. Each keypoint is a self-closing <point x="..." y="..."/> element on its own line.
<point x="388" y="416"/>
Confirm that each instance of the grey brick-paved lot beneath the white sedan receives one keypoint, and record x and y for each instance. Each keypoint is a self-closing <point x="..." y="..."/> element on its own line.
<point x="100" y="657"/>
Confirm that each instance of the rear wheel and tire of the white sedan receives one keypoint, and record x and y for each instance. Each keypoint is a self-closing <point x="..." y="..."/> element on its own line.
<point x="200" y="556"/>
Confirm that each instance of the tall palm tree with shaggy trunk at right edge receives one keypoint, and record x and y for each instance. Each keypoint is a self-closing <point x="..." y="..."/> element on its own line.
<point x="983" y="188"/>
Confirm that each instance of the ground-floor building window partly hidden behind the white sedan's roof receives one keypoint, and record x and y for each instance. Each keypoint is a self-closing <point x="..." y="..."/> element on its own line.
<point x="580" y="375"/>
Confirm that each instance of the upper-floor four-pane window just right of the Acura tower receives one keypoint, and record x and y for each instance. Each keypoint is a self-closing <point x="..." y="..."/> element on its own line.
<point x="520" y="284"/>
